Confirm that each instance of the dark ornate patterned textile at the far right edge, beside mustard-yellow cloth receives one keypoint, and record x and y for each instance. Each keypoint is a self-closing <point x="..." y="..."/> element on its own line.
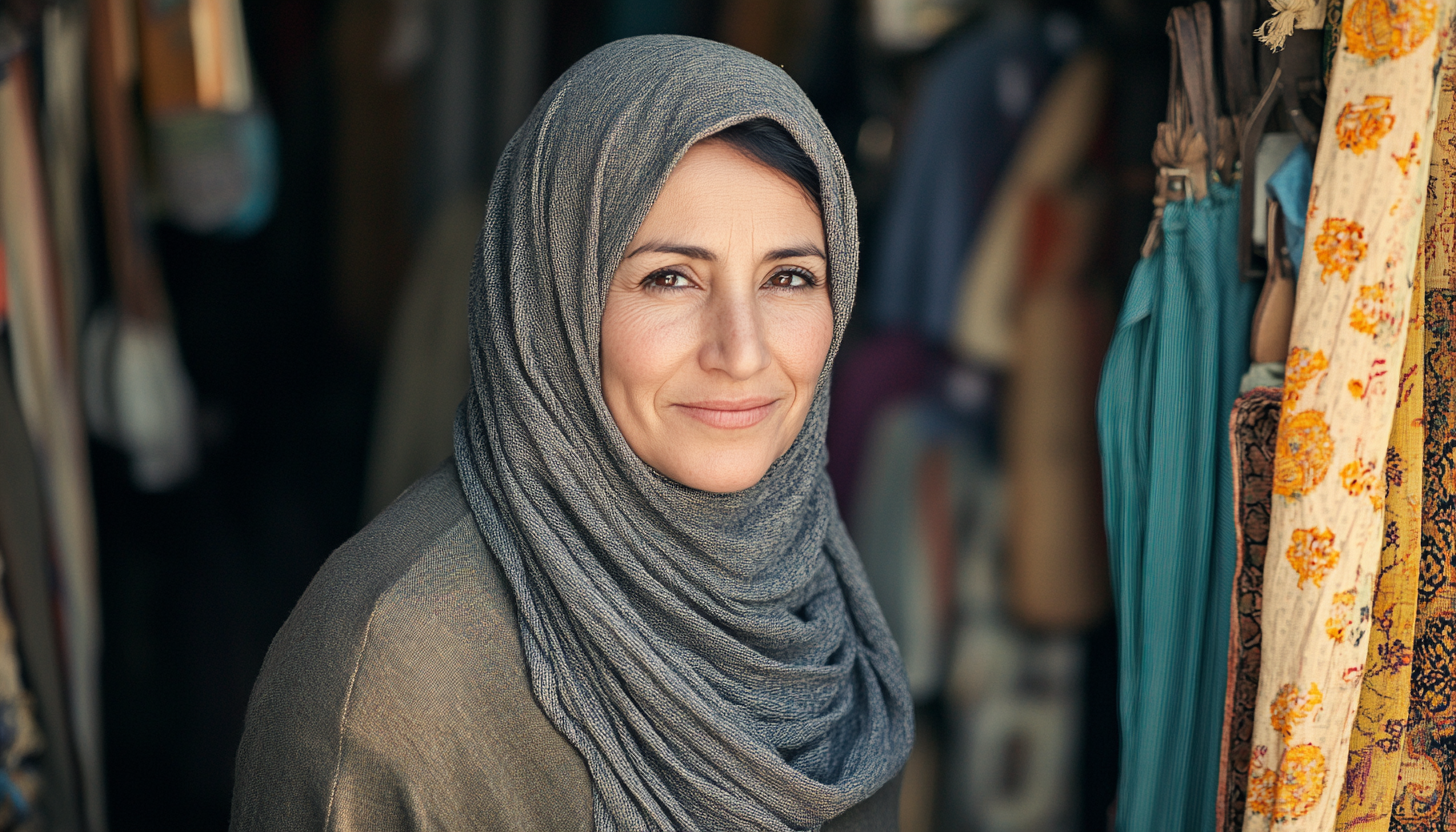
<point x="1426" y="799"/>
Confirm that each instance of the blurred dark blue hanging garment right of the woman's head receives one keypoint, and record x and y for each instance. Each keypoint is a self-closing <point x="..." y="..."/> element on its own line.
<point x="976" y="100"/>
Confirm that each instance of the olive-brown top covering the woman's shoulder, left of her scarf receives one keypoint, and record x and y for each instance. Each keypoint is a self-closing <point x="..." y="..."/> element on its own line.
<point x="400" y="683"/>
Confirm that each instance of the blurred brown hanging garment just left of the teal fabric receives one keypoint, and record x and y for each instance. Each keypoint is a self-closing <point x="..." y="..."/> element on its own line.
<point x="1056" y="546"/>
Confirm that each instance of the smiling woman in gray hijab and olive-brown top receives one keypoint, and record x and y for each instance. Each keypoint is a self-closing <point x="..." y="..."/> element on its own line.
<point x="630" y="601"/>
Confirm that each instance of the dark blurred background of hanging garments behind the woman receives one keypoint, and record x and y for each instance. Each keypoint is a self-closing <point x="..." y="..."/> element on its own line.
<point x="238" y="238"/>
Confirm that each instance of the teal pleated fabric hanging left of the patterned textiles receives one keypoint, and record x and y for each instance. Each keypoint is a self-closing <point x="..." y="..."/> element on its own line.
<point x="1168" y="387"/>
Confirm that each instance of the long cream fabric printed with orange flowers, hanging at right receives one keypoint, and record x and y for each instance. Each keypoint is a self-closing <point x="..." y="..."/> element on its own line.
<point x="1340" y="396"/>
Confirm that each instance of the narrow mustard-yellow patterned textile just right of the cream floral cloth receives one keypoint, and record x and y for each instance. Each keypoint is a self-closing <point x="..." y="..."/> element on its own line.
<point x="1385" y="694"/>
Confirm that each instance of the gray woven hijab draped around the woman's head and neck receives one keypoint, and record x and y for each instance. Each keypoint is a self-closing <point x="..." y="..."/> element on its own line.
<point x="719" y="659"/>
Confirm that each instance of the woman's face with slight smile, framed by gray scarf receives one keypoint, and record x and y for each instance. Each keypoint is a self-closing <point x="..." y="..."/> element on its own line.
<point x="719" y="321"/>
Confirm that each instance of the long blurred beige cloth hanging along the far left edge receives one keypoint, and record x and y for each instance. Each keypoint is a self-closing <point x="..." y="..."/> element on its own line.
<point x="50" y="406"/>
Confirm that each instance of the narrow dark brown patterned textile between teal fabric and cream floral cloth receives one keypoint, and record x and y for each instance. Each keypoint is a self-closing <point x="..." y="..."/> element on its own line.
<point x="1253" y="429"/>
